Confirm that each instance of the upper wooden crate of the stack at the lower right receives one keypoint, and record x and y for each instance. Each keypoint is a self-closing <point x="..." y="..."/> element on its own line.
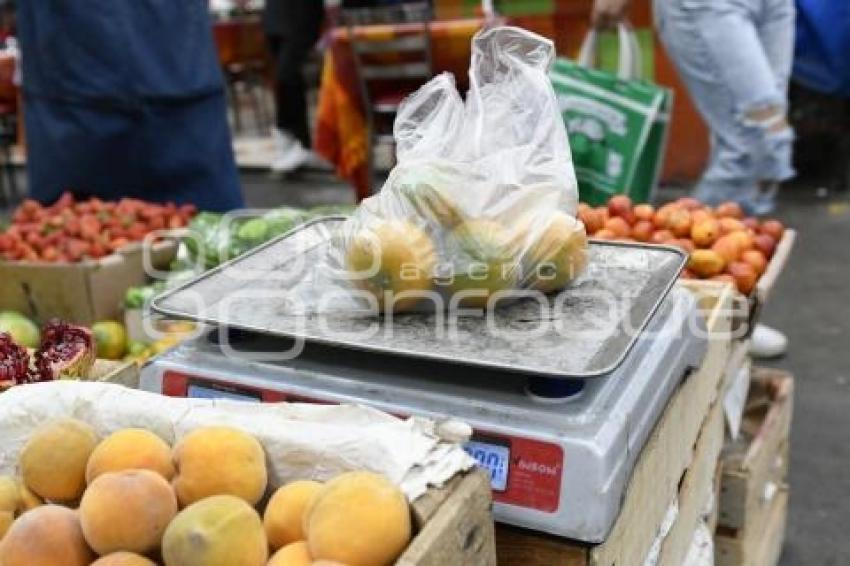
<point x="756" y="464"/>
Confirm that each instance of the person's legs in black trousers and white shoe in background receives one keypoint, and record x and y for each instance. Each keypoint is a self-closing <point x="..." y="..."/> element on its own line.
<point x="292" y="29"/>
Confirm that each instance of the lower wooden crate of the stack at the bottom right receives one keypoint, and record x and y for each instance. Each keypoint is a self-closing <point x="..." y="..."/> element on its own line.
<point x="760" y="546"/>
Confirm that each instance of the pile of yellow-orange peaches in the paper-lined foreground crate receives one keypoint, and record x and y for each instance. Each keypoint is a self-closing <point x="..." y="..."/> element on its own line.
<point x="132" y="500"/>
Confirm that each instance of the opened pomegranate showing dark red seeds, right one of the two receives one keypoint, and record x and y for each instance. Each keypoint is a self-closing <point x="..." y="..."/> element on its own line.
<point x="66" y="351"/>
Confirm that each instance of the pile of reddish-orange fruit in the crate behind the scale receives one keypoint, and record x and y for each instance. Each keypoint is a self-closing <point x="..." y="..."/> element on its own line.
<point x="723" y="244"/>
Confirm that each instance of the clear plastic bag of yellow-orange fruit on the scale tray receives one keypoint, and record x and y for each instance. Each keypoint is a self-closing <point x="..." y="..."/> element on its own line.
<point x="482" y="202"/>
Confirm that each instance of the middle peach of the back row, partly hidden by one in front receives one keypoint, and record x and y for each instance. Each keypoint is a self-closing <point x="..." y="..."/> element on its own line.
<point x="130" y="449"/>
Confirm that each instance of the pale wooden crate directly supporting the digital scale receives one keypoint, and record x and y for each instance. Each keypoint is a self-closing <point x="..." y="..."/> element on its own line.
<point x="687" y="438"/>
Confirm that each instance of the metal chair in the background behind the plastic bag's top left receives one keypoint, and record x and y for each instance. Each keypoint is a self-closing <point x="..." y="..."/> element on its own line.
<point x="388" y="69"/>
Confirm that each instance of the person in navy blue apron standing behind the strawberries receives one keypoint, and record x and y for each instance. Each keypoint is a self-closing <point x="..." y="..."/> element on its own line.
<point x="125" y="98"/>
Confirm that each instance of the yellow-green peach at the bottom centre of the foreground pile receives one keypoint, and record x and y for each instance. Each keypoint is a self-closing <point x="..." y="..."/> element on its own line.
<point x="221" y="530"/>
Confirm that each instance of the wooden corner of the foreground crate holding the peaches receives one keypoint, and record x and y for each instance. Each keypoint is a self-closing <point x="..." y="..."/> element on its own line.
<point x="454" y="525"/>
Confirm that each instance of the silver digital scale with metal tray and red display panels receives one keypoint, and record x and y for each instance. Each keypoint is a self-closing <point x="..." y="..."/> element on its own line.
<point x="559" y="418"/>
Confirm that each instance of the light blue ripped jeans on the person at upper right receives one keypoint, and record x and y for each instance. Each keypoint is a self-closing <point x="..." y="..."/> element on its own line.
<point x="735" y="58"/>
